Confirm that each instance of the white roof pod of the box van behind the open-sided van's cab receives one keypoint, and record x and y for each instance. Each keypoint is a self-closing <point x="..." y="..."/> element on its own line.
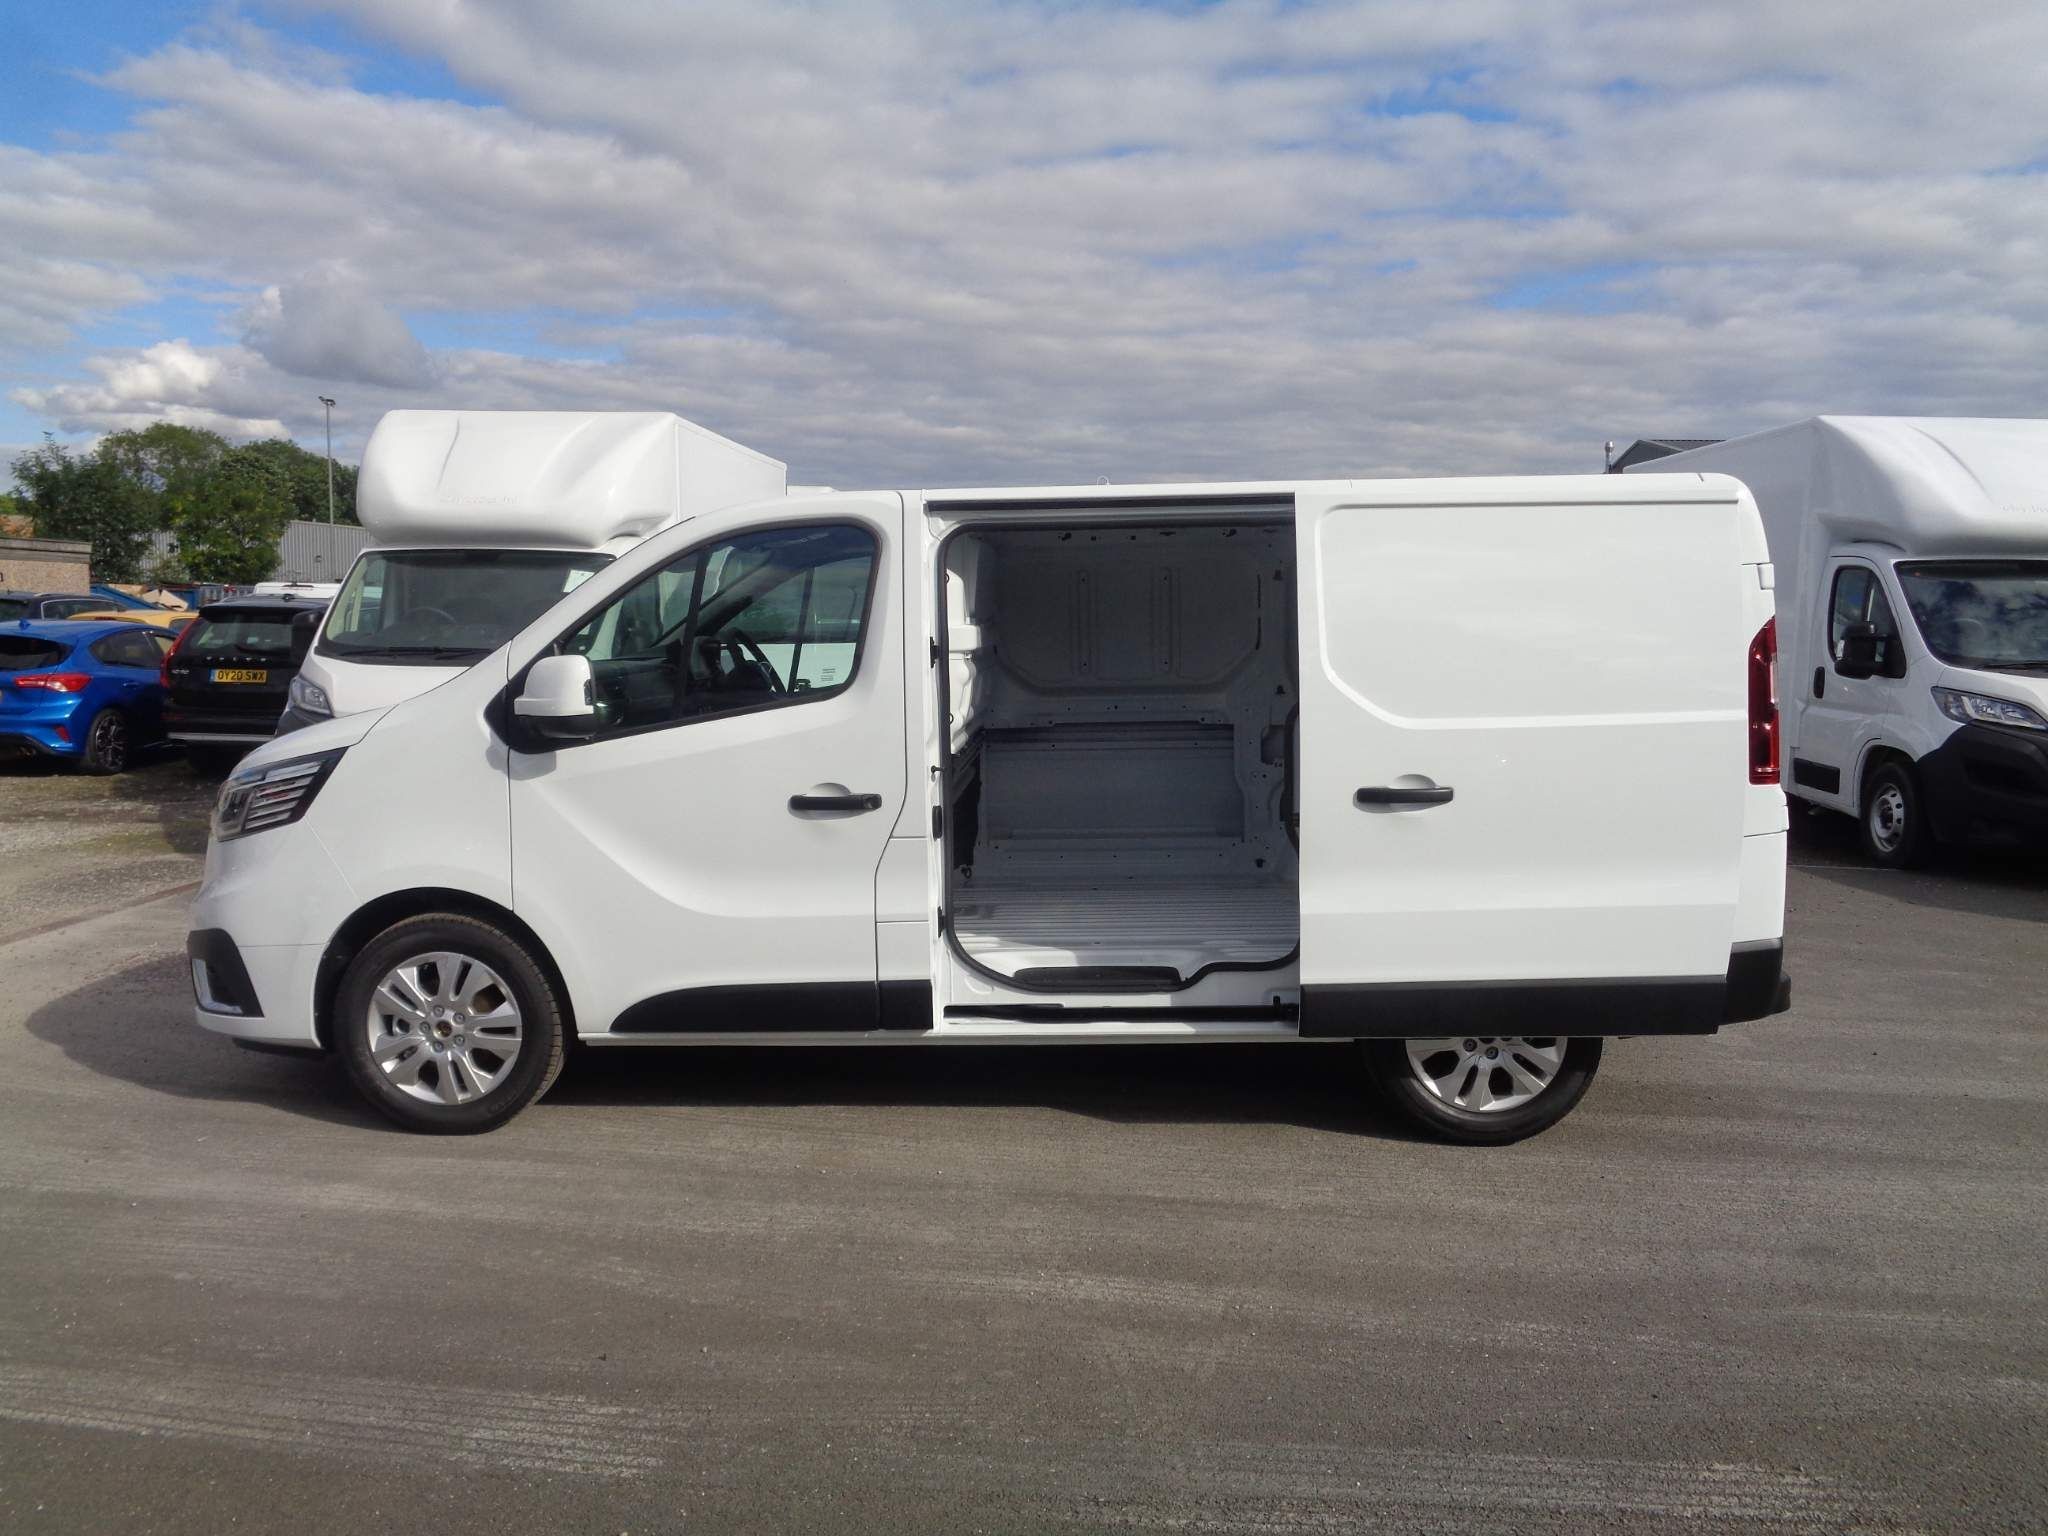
<point x="554" y="480"/>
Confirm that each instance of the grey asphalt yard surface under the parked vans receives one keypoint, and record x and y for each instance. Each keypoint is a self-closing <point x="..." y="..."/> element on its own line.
<point x="1779" y="1281"/>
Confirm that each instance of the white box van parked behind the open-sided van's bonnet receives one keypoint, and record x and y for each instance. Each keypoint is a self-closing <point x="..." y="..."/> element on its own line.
<point x="484" y="519"/>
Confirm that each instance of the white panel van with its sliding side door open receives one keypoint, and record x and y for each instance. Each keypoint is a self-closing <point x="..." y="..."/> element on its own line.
<point x="1404" y="763"/>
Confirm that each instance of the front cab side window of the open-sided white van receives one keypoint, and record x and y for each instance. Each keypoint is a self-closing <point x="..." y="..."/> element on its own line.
<point x="771" y="617"/>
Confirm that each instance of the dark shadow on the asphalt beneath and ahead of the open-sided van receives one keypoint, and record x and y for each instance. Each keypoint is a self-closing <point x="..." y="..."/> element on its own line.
<point x="136" y="1027"/>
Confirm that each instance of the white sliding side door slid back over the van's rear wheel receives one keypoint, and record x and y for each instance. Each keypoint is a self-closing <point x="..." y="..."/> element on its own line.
<point x="1523" y="753"/>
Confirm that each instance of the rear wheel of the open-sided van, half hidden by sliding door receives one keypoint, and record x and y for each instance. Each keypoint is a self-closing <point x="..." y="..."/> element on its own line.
<point x="1484" y="1091"/>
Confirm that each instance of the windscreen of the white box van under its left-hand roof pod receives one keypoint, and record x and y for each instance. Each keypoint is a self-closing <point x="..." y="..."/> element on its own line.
<point x="447" y="605"/>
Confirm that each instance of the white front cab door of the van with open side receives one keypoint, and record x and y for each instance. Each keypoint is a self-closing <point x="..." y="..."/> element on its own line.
<point x="732" y="855"/>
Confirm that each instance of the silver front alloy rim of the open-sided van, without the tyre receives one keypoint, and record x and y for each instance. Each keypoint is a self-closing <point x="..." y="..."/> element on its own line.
<point x="443" y="1029"/>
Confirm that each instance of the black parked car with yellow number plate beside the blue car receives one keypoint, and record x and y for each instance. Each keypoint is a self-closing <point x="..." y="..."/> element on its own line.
<point x="230" y="671"/>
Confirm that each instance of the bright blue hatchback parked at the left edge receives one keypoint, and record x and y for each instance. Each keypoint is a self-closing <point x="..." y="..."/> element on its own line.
<point x="83" y="691"/>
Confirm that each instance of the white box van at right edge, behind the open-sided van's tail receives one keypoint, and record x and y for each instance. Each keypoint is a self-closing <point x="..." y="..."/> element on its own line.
<point x="1912" y="617"/>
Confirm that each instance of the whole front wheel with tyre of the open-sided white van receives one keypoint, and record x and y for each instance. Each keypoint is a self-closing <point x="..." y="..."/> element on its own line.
<point x="447" y="1025"/>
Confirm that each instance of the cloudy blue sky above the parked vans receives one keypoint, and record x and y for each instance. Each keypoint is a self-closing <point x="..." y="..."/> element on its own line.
<point x="927" y="243"/>
